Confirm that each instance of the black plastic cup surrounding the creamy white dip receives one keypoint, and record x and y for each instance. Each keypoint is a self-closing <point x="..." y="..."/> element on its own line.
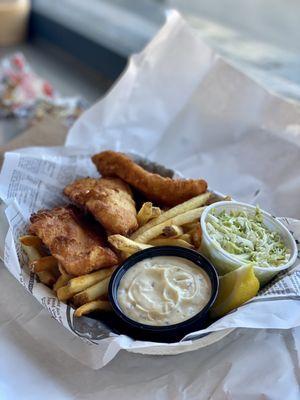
<point x="170" y="333"/>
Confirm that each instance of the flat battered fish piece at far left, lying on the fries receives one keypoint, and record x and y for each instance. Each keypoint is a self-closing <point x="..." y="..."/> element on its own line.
<point x="72" y="240"/>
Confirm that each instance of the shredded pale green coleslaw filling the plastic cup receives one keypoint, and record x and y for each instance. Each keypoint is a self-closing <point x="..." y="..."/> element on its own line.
<point x="247" y="238"/>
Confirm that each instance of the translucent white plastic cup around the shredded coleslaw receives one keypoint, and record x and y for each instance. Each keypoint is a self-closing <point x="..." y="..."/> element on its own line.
<point x="225" y="262"/>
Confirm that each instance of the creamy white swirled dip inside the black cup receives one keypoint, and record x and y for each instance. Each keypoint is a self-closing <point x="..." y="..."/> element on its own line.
<point x="163" y="290"/>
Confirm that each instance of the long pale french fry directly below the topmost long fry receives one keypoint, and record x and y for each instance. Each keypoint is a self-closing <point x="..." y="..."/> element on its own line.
<point x="179" y="220"/>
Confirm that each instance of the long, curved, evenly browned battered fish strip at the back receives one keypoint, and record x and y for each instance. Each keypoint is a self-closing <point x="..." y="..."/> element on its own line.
<point x="164" y="191"/>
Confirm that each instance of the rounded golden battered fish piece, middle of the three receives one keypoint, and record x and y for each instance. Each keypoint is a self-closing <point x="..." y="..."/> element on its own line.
<point x="109" y="200"/>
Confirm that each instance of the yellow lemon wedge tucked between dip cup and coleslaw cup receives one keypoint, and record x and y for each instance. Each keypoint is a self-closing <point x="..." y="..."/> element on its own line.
<point x="235" y="288"/>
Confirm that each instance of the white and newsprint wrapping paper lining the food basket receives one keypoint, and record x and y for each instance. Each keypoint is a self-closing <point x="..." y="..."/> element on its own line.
<point x="180" y="104"/>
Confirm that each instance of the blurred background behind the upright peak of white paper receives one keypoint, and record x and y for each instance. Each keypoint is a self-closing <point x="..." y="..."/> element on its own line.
<point x="59" y="56"/>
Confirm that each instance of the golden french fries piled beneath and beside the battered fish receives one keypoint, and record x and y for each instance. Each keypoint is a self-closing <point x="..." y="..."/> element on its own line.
<point x="178" y="226"/>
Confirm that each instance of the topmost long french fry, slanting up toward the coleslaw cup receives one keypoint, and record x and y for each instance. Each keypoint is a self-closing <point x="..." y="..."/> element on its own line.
<point x="188" y="205"/>
